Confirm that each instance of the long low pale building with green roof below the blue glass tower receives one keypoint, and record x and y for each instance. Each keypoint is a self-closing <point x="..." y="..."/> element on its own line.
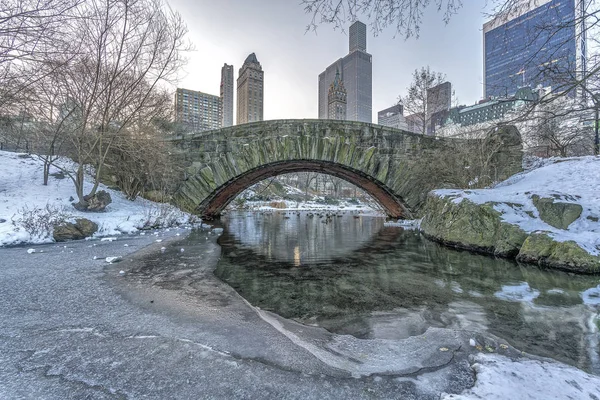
<point x="489" y="110"/>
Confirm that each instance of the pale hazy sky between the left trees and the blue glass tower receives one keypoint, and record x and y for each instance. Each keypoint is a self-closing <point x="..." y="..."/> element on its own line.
<point x="226" y="31"/>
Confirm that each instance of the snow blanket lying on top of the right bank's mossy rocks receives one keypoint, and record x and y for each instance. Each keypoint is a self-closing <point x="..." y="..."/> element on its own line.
<point x="570" y="180"/>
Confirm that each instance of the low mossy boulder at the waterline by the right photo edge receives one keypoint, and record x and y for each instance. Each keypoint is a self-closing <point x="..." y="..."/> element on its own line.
<point x="541" y="249"/>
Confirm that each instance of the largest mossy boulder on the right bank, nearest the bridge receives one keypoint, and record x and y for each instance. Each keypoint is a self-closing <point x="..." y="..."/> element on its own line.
<point x="470" y="226"/>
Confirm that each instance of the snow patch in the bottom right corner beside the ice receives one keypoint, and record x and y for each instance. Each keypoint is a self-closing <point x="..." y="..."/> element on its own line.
<point x="499" y="378"/>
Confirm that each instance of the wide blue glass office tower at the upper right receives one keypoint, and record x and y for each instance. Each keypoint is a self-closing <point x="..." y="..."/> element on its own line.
<point x="538" y="44"/>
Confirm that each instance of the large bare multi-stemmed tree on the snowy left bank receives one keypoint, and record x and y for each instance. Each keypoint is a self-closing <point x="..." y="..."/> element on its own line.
<point x="129" y="50"/>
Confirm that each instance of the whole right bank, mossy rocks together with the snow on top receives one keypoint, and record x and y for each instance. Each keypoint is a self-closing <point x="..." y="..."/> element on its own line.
<point x="527" y="218"/>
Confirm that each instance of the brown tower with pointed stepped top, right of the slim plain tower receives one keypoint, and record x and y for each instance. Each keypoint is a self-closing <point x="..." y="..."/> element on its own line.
<point x="250" y="91"/>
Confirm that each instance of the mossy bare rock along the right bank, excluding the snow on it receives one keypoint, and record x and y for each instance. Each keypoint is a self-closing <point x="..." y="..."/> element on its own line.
<point x="461" y="223"/>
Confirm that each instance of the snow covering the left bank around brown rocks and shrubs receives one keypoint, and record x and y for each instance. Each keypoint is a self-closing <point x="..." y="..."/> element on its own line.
<point x="22" y="190"/>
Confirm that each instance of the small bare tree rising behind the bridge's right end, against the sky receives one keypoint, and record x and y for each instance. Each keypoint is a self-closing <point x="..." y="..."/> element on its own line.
<point x="416" y="100"/>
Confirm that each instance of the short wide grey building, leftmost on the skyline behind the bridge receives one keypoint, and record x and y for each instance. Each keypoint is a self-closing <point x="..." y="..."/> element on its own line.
<point x="197" y="110"/>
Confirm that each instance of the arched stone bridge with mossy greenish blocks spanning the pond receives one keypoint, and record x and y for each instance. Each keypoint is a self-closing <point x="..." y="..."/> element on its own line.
<point x="395" y="167"/>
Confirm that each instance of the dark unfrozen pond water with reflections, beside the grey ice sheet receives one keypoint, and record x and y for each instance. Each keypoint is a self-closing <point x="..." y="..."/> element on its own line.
<point x="398" y="275"/>
